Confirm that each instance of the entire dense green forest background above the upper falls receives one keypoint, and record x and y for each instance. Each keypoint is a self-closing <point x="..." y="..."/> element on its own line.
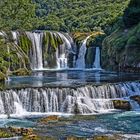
<point x="60" y="15"/>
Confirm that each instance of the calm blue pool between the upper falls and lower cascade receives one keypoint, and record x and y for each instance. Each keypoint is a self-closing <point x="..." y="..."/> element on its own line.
<point x="67" y="78"/>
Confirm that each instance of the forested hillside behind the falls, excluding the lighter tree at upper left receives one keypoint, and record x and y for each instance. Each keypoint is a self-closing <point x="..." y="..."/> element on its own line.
<point x="79" y="15"/>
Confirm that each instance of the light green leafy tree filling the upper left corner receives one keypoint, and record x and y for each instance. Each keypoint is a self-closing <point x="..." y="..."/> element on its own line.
<point x="17" y="14"/>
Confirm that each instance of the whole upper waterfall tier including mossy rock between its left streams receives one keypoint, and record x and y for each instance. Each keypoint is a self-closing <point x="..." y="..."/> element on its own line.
<point x="62" y="56"/>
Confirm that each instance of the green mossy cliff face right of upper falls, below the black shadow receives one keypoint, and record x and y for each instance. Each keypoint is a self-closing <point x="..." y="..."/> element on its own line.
<point x="121" y="49"/>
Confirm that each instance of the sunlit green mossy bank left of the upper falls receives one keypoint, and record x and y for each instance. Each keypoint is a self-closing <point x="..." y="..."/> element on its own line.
<point x="14" y="58"/>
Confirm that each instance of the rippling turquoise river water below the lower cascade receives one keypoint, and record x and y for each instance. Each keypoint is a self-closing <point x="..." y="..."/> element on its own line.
<point x="82" y="126"/>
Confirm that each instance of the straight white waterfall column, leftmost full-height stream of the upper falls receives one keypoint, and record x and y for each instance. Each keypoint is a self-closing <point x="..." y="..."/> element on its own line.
<point x="36" y="55"/>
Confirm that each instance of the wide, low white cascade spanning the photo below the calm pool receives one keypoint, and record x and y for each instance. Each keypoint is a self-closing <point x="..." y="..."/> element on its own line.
<point x="84" y="100"/>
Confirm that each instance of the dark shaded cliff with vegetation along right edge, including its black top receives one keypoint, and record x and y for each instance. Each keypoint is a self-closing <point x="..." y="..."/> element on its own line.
<point x="122" y="48"/>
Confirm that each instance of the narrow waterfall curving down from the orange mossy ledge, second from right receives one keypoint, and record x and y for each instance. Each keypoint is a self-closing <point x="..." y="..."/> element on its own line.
<point x="80" y="63"/>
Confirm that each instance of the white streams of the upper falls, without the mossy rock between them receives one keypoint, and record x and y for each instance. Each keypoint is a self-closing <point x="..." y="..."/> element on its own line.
<point x="61" y="56"/>
